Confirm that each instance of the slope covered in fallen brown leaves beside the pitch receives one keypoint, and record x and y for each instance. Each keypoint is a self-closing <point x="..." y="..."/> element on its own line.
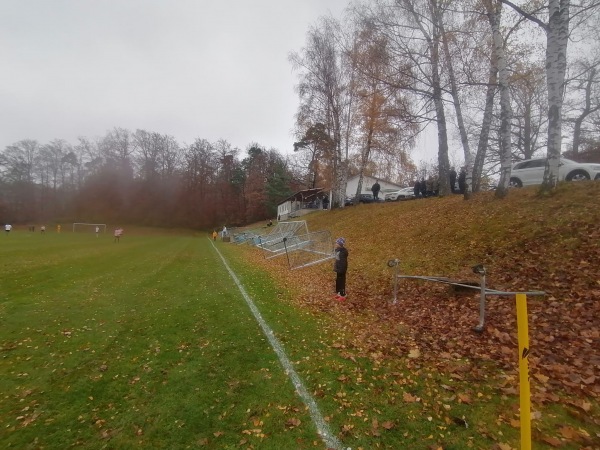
<point x="526" y="242"/>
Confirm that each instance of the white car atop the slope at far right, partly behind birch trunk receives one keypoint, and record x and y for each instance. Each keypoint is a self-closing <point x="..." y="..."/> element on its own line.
<point x="531" y="172"/>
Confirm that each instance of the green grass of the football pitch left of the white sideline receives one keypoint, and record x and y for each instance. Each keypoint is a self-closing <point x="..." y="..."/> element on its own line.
<point x="142" y="343"/>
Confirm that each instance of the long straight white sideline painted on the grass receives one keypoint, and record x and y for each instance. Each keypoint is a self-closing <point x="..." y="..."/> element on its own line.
<point x="323" y="429"/>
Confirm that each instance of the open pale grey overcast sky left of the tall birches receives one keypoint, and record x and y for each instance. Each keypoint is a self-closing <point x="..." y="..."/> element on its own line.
<point x="188" y="68"/>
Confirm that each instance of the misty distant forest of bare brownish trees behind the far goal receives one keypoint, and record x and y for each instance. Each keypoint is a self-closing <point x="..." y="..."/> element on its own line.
<point x="143" y="178"/>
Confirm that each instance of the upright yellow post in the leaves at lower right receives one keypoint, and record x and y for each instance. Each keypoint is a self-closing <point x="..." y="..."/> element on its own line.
<point x="525" y="400"/>
